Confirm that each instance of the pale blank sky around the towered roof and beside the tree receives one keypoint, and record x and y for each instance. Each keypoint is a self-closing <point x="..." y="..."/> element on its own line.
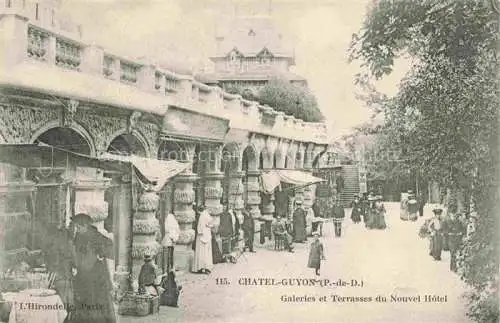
<point x="183" y="32"/>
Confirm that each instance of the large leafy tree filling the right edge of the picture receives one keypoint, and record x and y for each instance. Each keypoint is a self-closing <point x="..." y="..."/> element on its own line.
<point x="445" y="115"/>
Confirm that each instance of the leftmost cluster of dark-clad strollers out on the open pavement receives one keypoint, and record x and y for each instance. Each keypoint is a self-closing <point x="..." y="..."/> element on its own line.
<point x="369" y="208"/>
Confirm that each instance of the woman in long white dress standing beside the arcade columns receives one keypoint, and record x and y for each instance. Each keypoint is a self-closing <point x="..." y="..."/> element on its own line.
<point x="203" y="262"/>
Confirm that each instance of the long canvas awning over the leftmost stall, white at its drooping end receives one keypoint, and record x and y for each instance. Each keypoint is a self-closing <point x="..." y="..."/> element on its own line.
<point x="151" y="171"/>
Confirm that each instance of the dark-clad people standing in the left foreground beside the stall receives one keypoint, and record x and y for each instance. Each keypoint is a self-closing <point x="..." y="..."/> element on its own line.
<point x="78" y="256"/>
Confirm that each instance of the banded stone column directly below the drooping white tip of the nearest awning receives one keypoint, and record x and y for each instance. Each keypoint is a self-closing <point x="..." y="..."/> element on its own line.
<point x="145" y="228"/>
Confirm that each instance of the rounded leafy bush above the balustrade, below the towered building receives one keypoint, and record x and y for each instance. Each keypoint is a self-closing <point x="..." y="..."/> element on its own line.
<point x="290" y="99"/>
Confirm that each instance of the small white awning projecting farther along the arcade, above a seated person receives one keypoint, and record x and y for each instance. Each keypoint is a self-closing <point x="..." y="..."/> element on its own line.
<point x="272" y="178"/>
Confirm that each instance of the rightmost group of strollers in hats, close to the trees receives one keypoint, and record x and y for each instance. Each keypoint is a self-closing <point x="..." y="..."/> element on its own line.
<point x="446" y="232"/>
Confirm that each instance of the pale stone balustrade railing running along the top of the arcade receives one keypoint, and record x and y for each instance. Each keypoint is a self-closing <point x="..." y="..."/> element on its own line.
<point x="29" y="40"/>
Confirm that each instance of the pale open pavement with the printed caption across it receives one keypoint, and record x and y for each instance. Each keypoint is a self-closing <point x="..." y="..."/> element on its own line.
<point x="368" y="276"/>
